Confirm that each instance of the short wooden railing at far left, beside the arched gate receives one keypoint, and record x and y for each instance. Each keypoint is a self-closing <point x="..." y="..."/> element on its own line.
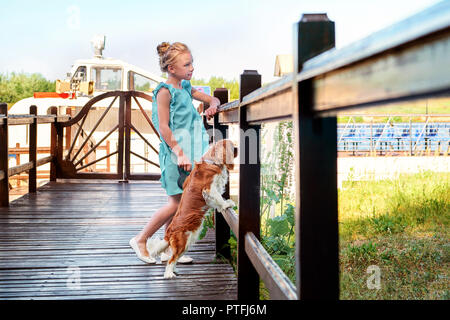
<point x="33" y="120"/>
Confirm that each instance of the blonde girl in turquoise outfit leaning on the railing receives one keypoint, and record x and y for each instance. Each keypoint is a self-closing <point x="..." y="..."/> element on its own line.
<point x="184" y="138"/>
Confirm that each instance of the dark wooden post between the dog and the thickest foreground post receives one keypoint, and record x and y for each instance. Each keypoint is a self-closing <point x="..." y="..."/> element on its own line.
<point x="249" y="190"/>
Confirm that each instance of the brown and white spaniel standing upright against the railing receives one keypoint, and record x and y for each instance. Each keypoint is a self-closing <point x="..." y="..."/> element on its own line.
<point x="202" y="190"/>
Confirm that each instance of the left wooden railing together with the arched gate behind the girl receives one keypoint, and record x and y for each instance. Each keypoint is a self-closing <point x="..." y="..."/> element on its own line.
<point x="69" y="160"/>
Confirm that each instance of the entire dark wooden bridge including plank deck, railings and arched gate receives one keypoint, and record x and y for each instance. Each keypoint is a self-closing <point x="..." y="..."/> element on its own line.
<point x="70" y="230"/>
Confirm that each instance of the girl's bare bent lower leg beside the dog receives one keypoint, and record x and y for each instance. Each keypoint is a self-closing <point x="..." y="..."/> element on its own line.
<point x="162" y="216"/>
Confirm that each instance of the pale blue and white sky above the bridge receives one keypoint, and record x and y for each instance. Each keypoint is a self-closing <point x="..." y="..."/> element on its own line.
<point x="225" y="37"/>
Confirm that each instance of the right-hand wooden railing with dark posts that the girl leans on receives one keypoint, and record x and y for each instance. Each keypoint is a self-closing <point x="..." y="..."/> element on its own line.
<point x="400" y="63"/>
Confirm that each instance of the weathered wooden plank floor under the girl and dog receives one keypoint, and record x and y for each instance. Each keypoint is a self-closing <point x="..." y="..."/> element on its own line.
<point x="82" y="228"/>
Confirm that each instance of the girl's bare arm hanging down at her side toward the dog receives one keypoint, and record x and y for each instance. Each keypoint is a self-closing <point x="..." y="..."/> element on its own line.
<point x="163" y="102"/>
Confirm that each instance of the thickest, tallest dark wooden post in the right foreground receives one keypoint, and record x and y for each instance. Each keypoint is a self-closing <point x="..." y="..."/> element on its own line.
<point x="317" y="250"/>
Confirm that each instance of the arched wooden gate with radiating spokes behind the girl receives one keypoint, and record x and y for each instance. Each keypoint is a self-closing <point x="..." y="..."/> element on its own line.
<point x="72" y="164"/>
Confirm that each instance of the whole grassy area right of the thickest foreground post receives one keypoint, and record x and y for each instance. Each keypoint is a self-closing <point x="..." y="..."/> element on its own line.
<point x="400" y="226"/>
